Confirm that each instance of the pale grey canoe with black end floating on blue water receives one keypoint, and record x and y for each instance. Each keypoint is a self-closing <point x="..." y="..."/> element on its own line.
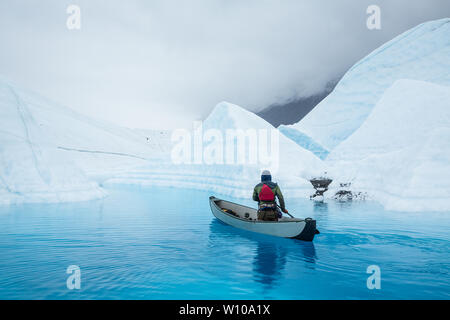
<point x="246" y="218"/>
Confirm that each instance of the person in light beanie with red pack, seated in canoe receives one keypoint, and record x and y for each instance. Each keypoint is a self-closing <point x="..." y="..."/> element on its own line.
<point x="265" y="193"/>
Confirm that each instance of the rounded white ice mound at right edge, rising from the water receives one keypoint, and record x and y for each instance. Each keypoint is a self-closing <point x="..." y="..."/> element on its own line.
<point x="400" y="155"/>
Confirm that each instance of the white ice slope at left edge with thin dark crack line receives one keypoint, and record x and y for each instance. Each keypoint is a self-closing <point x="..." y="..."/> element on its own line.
<point x="49" y="153"/>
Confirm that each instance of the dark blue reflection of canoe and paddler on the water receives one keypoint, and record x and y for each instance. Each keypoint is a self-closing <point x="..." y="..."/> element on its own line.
<point x="270" y="253"/>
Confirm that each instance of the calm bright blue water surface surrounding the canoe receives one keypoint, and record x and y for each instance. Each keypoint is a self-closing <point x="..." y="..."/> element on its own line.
<point x="143" y="243"/>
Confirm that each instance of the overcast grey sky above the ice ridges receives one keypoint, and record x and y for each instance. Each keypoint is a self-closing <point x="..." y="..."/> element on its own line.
<point x="162" y="64"/>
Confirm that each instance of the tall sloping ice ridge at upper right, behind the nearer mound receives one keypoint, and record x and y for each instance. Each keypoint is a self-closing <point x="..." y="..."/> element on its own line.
<point x="422" y="53"/>
